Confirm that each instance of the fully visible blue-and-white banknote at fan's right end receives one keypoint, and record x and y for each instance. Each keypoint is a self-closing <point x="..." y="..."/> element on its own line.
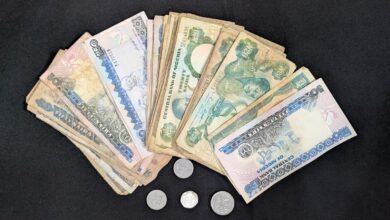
<point x="284" y="139"/>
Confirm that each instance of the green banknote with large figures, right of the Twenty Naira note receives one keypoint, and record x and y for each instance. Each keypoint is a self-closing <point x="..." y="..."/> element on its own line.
<point x="249" y="70"/>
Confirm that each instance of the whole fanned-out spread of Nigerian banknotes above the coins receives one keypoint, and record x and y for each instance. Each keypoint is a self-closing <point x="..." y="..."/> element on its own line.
<point x="144" y="90"/>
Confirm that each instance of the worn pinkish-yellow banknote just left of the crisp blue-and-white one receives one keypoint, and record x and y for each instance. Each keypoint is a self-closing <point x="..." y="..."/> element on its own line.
<point x="76" y="82"/>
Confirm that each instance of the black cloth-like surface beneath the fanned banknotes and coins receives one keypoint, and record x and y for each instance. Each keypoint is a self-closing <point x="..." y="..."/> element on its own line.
<point x="43" y="176"/>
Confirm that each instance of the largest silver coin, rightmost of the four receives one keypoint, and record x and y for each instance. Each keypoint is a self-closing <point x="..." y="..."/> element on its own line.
<point x="222" y="203"/>
